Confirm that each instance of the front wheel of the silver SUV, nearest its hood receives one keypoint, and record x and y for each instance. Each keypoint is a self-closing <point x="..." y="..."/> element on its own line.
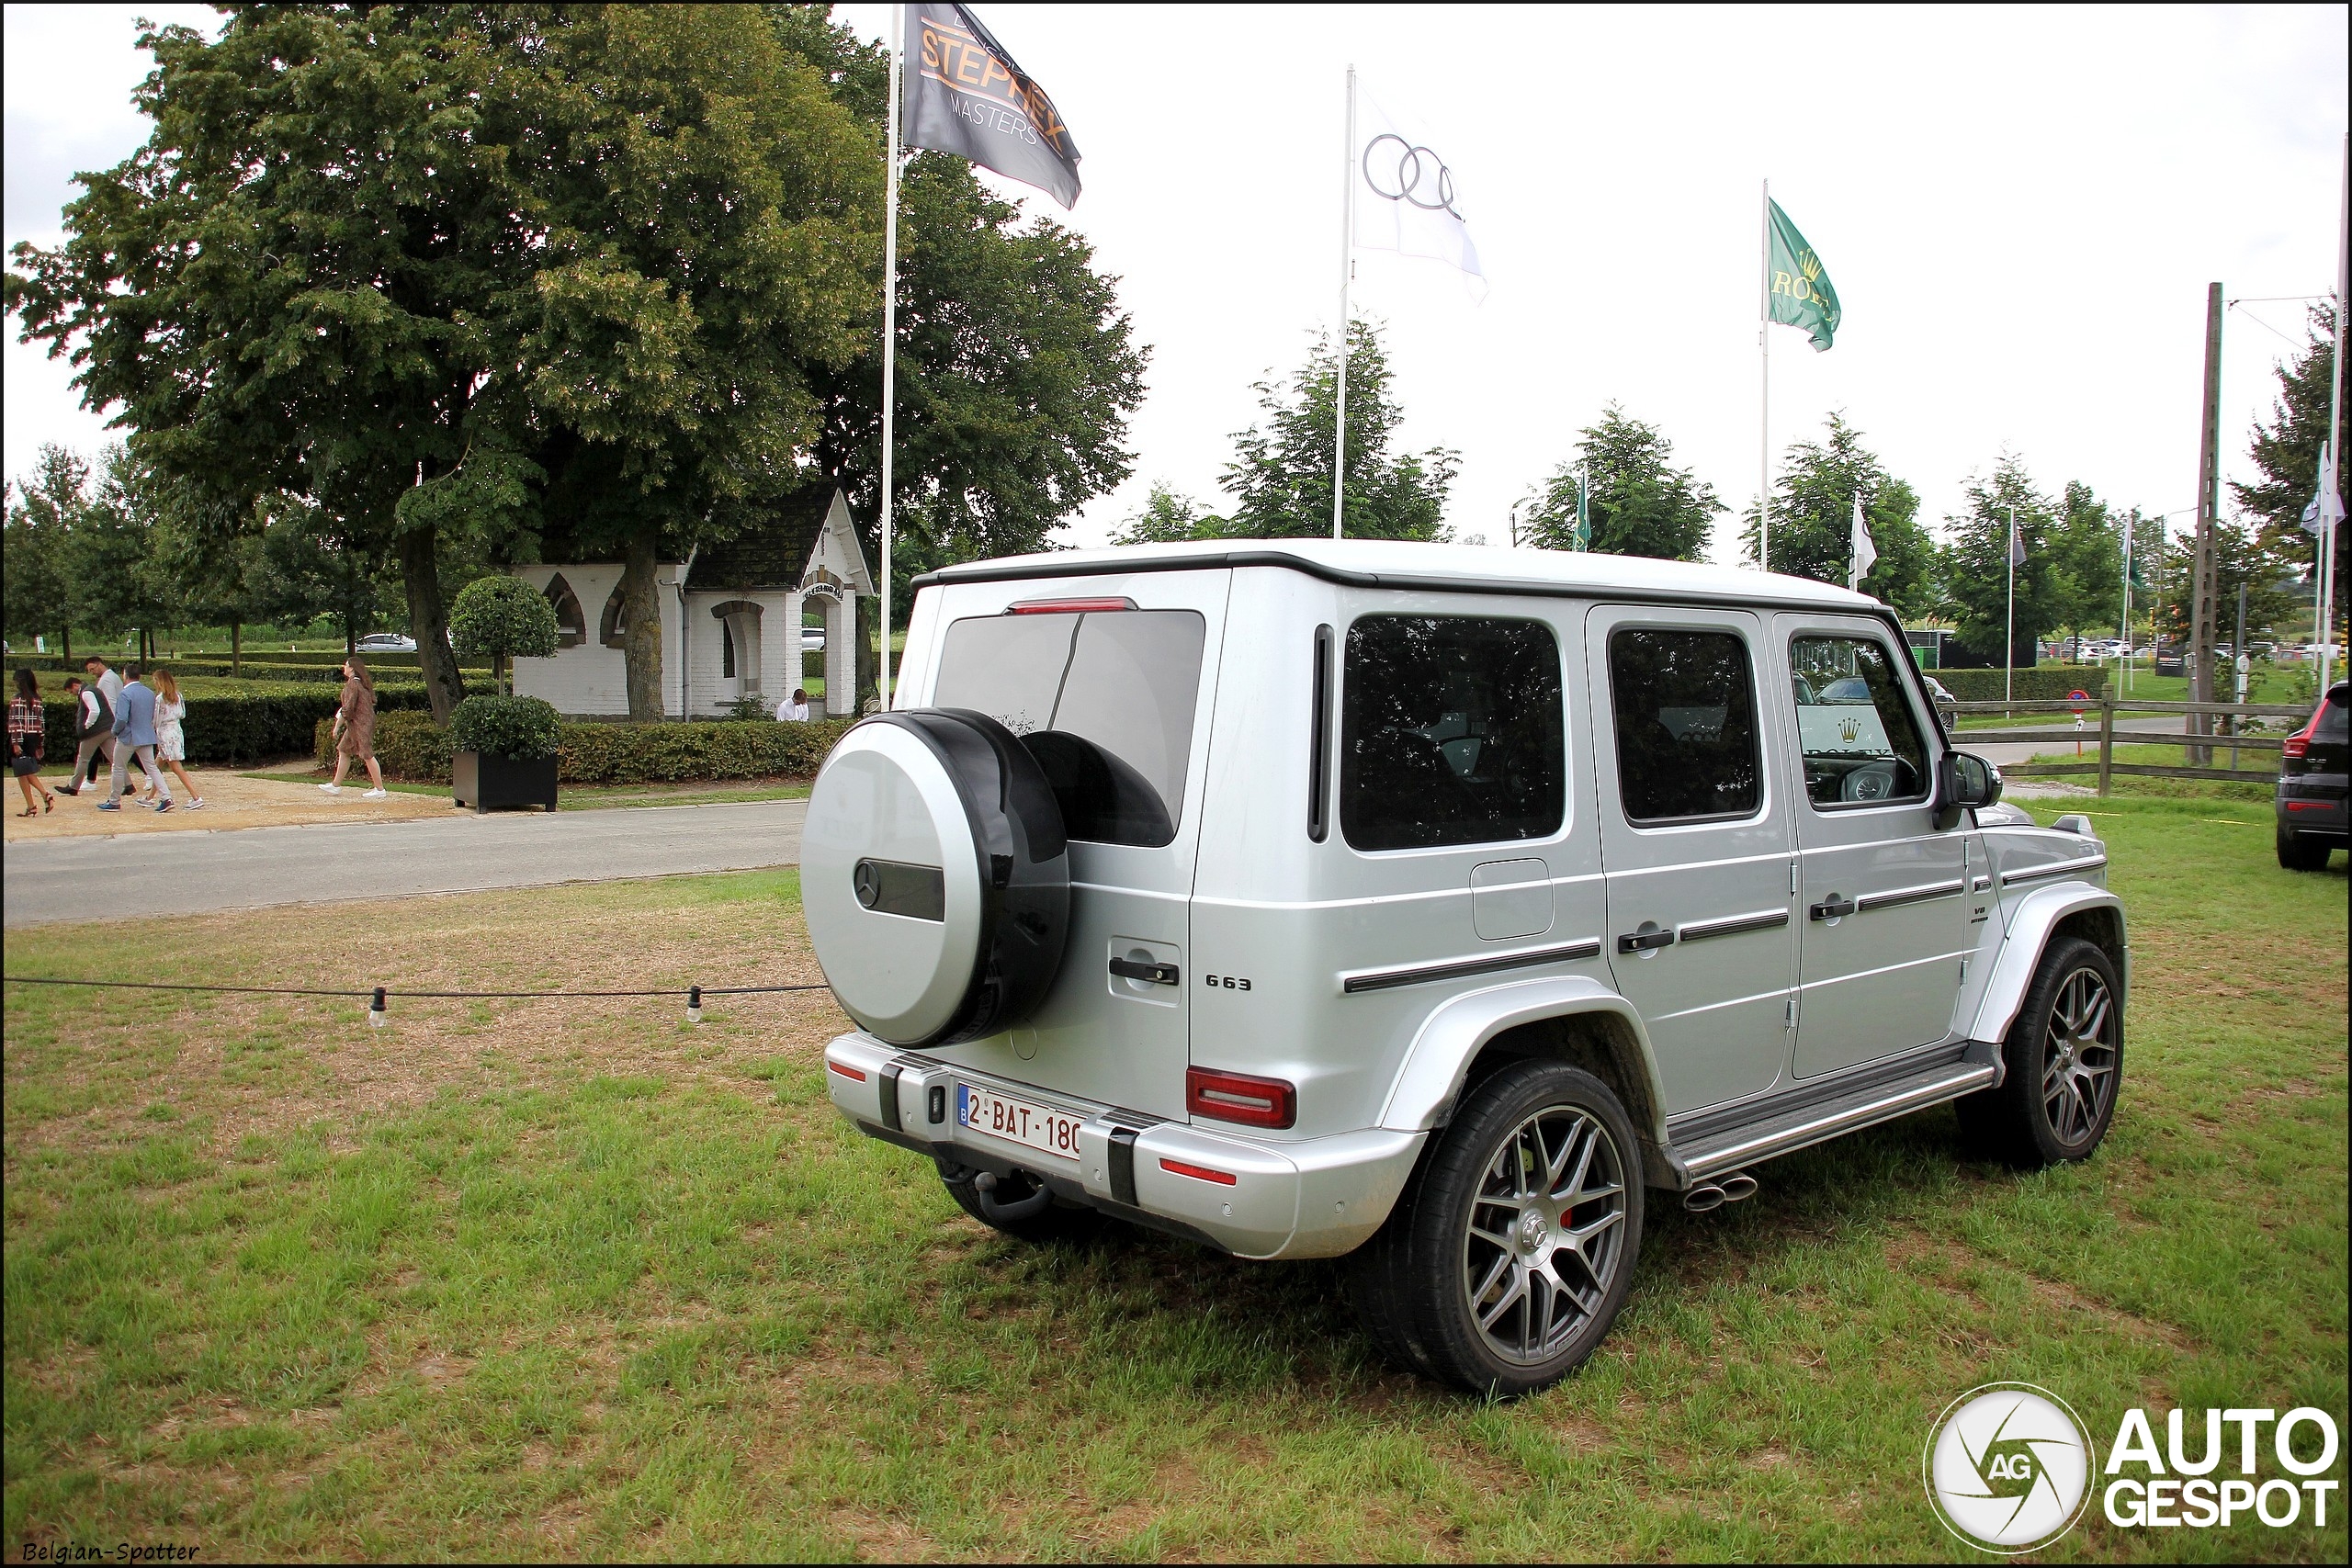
<point x="2066" y="1066"/>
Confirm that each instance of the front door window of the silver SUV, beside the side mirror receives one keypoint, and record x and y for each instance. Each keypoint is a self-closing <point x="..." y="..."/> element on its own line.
<point x="1859" y="739"/>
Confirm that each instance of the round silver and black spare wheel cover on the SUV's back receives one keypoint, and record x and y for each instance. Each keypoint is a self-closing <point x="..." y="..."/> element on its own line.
<point x="935" y="878"/>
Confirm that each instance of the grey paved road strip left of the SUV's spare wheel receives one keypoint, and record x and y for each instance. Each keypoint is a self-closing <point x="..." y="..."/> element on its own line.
<point x="192" y="873"/>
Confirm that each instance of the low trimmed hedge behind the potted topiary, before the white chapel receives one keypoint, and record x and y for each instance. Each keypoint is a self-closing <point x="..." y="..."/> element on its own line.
<point x="413" y="749"/>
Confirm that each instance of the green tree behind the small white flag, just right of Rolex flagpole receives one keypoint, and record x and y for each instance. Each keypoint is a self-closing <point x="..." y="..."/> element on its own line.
<point x="1812" y="521"/>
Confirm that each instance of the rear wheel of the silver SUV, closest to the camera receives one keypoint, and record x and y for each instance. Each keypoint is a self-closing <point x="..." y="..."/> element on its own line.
<point x="1514" y="1247"/>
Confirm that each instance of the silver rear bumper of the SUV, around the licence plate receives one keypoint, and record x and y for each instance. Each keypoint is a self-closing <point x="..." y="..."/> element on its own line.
<point x="1316" y="1198"/>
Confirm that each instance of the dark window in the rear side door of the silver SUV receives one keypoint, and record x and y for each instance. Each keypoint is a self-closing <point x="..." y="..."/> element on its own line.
<point x="1685" y="725"/>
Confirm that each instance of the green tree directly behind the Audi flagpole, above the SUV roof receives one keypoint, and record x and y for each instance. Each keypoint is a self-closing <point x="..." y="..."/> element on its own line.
<point x="1281" y="474"/>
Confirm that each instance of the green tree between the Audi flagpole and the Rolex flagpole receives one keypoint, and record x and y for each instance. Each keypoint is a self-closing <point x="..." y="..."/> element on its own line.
<point x="1641" y="502"/>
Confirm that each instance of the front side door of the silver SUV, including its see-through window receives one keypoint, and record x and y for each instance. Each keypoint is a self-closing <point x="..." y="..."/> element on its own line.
<point x="1885" y="892"/>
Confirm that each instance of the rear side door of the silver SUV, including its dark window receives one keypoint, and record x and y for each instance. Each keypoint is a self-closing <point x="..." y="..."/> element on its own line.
<point x="1695" y="845"/>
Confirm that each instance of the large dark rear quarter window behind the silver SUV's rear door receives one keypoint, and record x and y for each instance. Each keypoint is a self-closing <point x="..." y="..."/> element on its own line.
<point x="1450" y="732"/>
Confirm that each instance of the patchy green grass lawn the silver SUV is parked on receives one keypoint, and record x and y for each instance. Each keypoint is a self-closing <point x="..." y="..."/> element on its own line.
<point x="580" y="1280"/>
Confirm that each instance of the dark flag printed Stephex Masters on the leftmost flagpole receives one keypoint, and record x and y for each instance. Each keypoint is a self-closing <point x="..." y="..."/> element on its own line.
<point x="965" y="95"/>
